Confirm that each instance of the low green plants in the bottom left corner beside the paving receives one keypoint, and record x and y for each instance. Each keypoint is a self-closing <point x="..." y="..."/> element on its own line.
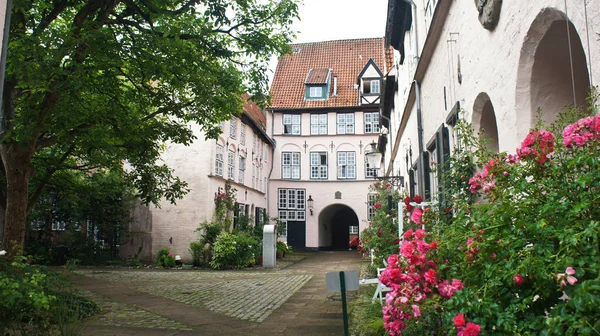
<point x="34" y="300"/>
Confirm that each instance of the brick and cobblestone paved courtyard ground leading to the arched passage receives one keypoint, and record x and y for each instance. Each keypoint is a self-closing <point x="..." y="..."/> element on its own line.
<point x="292" y="301"/>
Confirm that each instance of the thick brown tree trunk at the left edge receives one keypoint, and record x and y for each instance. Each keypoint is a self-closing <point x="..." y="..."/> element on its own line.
<point x="17" y="165"/>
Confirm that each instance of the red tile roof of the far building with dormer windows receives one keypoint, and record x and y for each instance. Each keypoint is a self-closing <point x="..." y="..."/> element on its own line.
<point x="346" y="58"/>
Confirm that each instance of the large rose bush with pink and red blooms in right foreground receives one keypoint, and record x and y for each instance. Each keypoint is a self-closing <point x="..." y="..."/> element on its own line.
<point x="523" y="259"/>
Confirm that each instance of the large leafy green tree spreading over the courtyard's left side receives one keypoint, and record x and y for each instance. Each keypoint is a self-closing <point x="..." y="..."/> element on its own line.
<point x="93" y="84"/>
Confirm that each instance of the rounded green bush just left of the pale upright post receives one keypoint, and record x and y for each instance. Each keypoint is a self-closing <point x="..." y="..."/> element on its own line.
<point x="233" y="250"/>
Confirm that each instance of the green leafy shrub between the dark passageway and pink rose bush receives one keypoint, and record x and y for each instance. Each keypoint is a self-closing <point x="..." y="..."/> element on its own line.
<point x="382" y="234"/>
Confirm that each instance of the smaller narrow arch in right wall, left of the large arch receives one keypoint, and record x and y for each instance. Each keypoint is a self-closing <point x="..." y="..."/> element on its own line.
<point x="484" y="118"/>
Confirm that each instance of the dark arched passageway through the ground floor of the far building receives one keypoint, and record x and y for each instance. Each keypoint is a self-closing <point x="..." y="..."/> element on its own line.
<point x="335" y="221"/>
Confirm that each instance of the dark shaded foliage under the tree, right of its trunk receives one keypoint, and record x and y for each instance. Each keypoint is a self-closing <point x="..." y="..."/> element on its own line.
<point x="95" y="208"/>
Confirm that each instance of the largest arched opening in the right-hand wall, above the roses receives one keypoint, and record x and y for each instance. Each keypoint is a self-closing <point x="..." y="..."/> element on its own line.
<point x="544" y="75"/>
